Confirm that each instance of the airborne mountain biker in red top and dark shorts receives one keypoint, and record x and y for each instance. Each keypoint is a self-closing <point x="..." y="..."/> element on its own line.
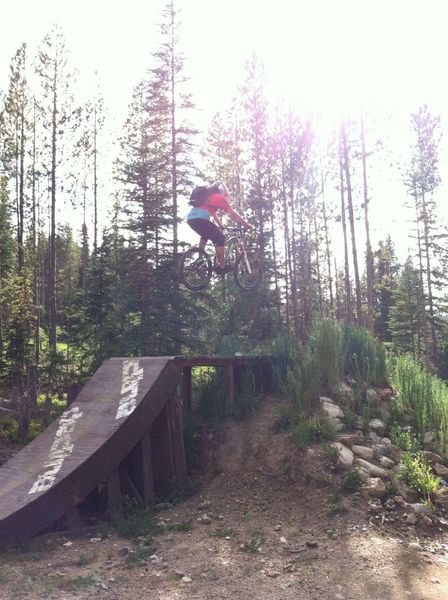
<point x="214" y="198"/>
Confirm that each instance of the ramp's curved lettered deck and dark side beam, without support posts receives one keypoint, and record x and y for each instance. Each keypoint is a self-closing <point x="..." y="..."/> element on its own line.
<point x="111" y="414"/>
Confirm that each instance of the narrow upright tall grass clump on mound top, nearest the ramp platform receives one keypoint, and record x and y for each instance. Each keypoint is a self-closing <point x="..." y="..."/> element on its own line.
<point x="326" y="345"/>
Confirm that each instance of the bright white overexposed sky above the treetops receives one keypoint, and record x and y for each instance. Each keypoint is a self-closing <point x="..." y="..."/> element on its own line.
<point x="329" y="55"/>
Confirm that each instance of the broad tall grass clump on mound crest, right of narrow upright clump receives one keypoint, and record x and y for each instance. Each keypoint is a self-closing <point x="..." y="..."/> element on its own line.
<point x="364" y="356"/>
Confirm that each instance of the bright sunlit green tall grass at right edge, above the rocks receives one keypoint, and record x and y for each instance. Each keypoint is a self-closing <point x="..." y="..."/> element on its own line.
<point x="423" y="396"/>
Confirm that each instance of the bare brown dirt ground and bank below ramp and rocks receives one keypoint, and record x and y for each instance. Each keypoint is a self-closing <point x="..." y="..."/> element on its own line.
<point x="267" y="527"/>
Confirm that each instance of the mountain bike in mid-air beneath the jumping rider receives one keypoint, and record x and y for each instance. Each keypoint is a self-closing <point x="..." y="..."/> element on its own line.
<point x="197" y="267"/>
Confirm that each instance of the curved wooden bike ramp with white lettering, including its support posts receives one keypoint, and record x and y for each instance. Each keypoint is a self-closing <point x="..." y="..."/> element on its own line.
<point x="123" y="429"/>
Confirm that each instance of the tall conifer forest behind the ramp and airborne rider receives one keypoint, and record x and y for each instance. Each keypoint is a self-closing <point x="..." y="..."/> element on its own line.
<point x="88" y="259"/>
